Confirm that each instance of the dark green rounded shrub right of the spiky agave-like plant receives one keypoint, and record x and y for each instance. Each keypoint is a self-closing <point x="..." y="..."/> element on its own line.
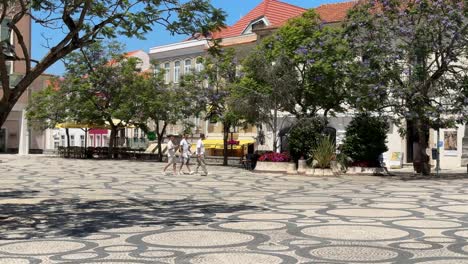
<point x="365" y="139"/>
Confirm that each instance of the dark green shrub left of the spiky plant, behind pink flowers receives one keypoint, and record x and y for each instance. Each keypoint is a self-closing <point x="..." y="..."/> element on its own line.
<point x="303" y="137"/>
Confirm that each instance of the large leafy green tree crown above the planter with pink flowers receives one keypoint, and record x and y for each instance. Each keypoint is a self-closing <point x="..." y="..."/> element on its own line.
<point x="320" y="56"/>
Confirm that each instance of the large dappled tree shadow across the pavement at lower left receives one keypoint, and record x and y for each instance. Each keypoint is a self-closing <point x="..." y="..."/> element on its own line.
<point x="76" y="218"/>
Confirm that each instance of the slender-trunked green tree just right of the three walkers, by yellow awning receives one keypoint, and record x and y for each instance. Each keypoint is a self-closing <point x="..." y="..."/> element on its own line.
<point x="264" y="91"/>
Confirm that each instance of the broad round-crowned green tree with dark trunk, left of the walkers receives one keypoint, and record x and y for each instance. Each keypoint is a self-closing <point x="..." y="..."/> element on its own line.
<point x="105" y="84"/>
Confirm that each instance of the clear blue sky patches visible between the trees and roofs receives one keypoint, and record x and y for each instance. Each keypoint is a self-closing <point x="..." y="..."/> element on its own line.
<point x="235" y="9"/>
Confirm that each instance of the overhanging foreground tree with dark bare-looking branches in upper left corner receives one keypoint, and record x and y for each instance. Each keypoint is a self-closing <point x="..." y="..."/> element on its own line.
<point x="77" y="24"/>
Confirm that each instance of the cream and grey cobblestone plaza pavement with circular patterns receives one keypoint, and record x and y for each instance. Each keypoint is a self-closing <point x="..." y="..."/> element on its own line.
<point x="83" y="211"/>
